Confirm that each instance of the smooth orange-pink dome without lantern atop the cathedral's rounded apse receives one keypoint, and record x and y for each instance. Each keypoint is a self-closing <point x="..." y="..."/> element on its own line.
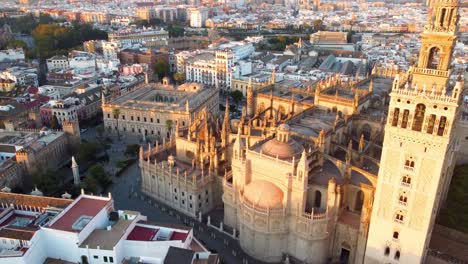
<point x="264" y="194"/>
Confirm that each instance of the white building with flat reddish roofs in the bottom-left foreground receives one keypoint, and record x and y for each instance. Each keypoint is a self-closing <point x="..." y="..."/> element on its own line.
<point x="87" y="229"/>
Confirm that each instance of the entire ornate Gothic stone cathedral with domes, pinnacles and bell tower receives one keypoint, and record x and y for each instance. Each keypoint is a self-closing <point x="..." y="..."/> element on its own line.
<point x="337" y="171"/>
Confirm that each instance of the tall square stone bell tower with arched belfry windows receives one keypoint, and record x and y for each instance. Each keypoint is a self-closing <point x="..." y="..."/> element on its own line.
<point x="418" y="150"/>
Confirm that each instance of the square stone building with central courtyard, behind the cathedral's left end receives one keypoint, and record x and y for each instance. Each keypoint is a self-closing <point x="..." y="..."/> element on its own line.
<point x="153" y="110"/>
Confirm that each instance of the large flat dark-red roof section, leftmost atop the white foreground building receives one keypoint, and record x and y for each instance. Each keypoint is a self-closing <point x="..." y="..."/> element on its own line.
<point x="84" y="207"/>
